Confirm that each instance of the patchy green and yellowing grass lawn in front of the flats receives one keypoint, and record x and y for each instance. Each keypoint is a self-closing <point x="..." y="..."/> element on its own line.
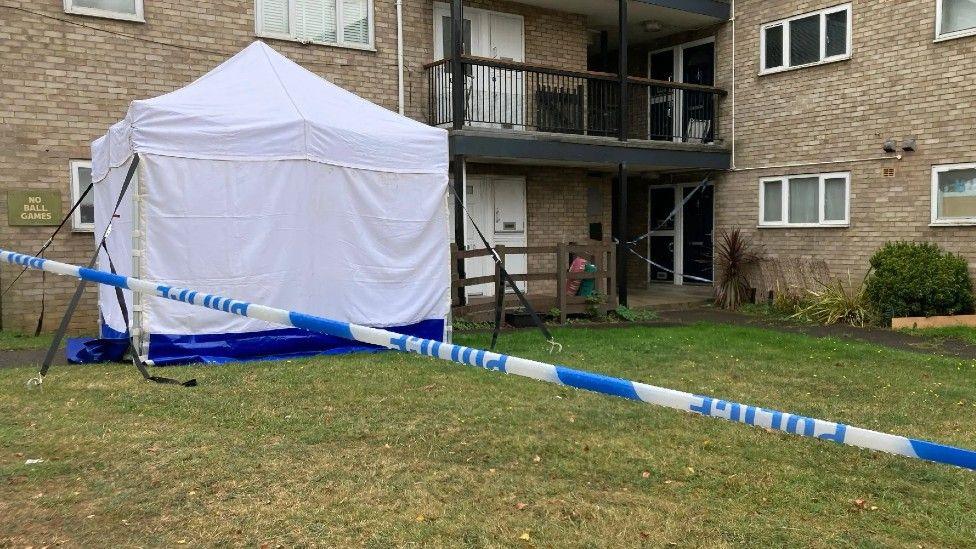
<point x="391" y="450"/>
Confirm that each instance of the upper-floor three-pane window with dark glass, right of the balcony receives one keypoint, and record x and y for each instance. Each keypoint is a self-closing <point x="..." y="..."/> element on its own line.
<point x="808" y="39"/>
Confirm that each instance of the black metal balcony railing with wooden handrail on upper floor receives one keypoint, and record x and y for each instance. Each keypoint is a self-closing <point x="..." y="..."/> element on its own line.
<point x="505" y="94"/>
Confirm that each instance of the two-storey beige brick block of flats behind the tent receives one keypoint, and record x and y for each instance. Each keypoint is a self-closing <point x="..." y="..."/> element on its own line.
<point x="785" y="106"/>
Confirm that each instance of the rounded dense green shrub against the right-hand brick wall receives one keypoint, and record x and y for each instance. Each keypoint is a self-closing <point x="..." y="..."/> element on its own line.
<point x="918" y="279"/>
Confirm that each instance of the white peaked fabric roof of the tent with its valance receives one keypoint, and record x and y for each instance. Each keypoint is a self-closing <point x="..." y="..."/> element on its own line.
<point x="259" y="105"/>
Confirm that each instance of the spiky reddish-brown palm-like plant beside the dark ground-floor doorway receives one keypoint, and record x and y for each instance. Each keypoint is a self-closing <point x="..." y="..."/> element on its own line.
<point x="735" y="256"/>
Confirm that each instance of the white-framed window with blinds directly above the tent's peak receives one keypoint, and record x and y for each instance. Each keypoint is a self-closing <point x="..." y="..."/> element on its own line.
<point x="347" y="23"/>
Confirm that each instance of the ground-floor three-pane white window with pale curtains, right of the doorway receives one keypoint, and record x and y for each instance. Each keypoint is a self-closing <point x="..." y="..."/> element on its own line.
<point x="812" y="200"/>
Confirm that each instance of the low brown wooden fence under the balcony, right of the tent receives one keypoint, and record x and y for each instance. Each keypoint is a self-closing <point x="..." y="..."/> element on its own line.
<point x="603" y="257"/>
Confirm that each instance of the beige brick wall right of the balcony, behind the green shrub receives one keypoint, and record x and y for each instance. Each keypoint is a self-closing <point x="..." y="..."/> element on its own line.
<point x="898" y="83"/>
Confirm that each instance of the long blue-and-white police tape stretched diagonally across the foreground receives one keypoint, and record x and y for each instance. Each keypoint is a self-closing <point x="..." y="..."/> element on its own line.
<point x="560" y="375"/>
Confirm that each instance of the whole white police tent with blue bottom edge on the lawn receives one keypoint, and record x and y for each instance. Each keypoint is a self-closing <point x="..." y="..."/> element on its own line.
<point x="264" y="182"/>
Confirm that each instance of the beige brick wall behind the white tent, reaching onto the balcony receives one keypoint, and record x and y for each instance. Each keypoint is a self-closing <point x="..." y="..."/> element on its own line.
<point x="65" y="78"/>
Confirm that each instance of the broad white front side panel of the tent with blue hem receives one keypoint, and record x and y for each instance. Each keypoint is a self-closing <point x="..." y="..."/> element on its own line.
<point x="355" y="245"/>
